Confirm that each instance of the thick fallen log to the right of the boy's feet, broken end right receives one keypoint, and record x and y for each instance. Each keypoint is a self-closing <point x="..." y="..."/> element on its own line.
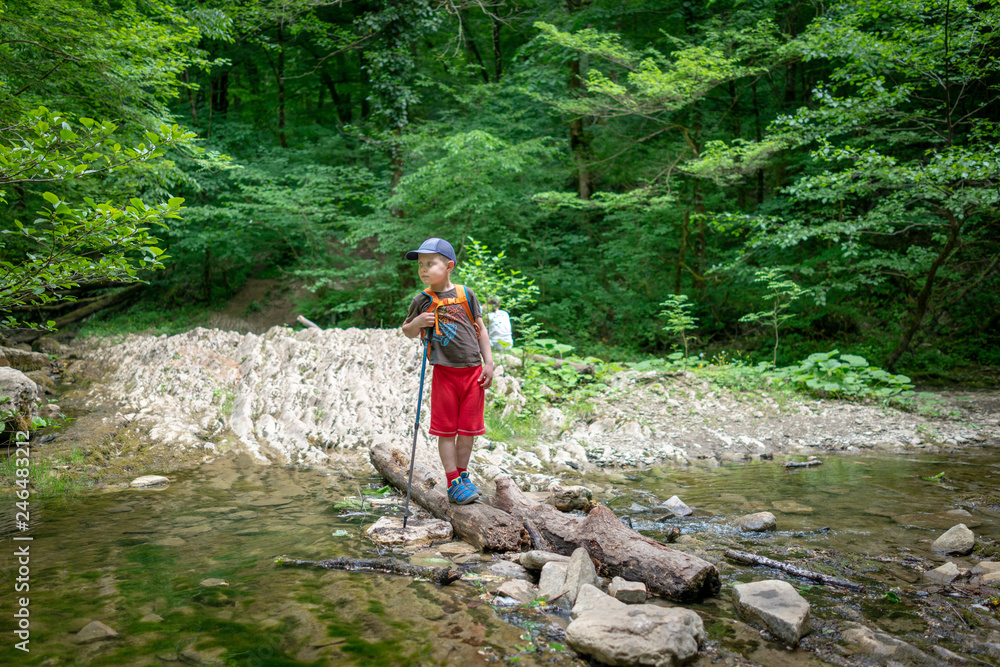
<point x="617" y="549"/>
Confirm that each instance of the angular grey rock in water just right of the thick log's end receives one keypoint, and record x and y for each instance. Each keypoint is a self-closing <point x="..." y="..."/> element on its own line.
<point x="776" y="606"/>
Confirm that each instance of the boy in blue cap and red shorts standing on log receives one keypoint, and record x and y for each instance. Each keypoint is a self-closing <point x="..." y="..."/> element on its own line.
<point x="462" y="359"/>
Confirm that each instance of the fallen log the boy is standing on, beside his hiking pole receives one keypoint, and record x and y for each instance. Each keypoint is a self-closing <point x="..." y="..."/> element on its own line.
<point x="480" y="525"/>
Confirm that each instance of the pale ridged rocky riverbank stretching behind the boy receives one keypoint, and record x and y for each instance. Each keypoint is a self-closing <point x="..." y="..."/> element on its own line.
<point x="322" y="398"/>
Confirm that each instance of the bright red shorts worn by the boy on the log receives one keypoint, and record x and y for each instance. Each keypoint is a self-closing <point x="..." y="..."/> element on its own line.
<point x="457" y="402"/>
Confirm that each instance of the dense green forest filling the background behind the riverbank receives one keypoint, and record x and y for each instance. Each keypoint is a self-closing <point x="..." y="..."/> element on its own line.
<point x="635" y="177"/>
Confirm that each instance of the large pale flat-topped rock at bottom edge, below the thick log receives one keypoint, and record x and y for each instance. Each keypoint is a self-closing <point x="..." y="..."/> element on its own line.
<point x="638" y="635"/>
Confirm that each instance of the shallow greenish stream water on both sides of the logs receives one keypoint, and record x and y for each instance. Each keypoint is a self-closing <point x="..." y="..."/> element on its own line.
<point x="120" y="557"/>
